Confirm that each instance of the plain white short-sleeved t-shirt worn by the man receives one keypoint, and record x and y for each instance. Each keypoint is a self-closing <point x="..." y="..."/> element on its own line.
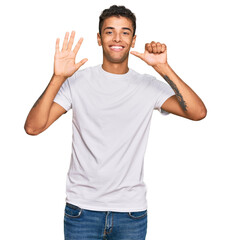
<point x="111" y="121"/>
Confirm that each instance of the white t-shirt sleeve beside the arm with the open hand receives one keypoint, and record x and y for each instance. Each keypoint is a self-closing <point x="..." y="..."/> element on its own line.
<point x="63" y="97"/>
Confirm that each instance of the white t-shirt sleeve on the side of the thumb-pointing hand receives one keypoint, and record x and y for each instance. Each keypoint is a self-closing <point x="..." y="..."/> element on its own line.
<point x="162" y="92"/>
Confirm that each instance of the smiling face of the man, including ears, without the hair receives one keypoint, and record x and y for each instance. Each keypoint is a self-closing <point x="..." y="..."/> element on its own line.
<point x="116" y="39"/>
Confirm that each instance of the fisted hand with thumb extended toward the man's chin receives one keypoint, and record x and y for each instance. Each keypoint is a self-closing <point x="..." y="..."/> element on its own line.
<point x="154" y="54"/>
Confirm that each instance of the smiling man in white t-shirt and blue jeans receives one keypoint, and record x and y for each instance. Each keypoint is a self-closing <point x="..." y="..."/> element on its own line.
<point x="112" y="109"/>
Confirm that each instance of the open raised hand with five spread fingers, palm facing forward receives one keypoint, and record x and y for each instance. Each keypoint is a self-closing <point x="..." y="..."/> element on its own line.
<point x="64" y="64"/>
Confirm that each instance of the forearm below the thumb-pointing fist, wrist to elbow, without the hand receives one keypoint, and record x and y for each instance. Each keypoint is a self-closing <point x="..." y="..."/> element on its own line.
<point x="189" y="101"/>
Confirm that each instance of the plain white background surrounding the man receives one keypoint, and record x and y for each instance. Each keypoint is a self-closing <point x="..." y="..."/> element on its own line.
<point x="187" y="163"/>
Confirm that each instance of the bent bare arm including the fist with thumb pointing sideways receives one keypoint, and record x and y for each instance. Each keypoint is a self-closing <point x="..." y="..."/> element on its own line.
<point x="186" y="103"/>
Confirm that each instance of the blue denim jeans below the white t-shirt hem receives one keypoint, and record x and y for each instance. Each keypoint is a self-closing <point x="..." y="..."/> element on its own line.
<point x="83" y="224"/>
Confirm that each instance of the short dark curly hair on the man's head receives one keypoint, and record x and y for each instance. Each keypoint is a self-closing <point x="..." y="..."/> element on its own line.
<point x="117" y="11"/>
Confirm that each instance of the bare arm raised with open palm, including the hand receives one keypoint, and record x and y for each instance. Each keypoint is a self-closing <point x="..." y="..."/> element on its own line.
<point x="45" y="111"/>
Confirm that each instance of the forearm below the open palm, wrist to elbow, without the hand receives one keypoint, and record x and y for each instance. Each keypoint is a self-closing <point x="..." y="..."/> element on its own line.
<point x="39" y="113"/>
